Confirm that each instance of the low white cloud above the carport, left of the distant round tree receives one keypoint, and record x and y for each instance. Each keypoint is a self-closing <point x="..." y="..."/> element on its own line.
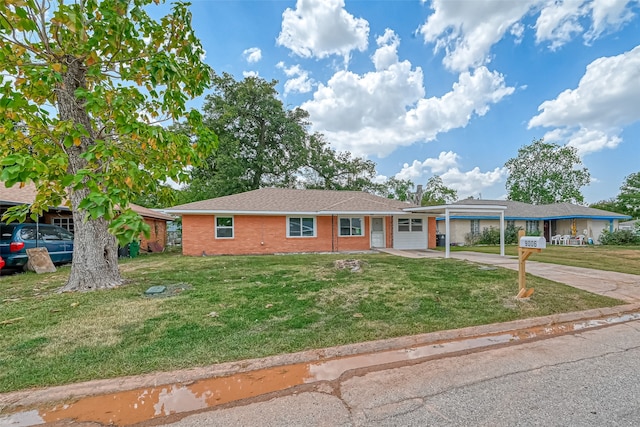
<point x="466" y="183"/>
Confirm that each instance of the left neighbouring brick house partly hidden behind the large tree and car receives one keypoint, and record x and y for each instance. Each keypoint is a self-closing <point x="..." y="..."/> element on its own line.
<point x="62" y="216"/>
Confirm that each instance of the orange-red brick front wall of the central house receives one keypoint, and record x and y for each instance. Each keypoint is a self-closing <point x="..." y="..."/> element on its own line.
<point x="265" y="235"/>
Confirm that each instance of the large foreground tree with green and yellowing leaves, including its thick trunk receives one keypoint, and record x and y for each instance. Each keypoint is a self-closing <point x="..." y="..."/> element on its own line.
<point x="85" y="89"/>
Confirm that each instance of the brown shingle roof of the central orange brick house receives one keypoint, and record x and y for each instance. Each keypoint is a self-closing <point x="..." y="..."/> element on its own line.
<point x="286" y="200"/>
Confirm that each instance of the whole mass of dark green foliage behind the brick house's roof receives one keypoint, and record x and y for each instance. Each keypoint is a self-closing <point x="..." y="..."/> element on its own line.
<point x="263" y="144"/>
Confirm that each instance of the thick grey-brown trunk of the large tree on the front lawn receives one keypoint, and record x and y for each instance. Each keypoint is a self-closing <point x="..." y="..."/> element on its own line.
<point x="95" y="253"/>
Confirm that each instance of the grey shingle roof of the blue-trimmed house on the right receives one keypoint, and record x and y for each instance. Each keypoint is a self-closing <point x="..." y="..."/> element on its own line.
<point x="551" y="211"/>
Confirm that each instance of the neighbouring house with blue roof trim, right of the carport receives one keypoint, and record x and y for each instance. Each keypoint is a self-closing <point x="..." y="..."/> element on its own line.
<point x="543" y="220"/>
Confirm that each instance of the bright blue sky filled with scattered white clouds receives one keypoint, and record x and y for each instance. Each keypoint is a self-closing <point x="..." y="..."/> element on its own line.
<point x="447" y="87"/>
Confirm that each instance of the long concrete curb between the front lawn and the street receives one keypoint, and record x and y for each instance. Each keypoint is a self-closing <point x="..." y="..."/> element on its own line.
<point x="521" y="331"/>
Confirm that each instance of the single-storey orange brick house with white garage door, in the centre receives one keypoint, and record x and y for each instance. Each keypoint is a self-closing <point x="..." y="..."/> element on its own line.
<point x="278" y="220"/>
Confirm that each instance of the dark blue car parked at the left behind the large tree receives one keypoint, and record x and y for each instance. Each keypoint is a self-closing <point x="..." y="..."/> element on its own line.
<point x="16" y="238"/>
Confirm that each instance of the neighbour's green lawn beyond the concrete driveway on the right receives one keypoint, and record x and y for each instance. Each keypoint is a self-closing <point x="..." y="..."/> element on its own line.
<point x="623" y="259"/>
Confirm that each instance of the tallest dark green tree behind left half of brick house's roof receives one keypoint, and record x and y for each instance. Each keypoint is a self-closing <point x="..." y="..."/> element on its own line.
<point x="262" y="144"/>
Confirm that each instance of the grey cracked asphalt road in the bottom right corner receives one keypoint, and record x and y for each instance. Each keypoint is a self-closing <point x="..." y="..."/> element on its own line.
<point x="583" y="379"/>
